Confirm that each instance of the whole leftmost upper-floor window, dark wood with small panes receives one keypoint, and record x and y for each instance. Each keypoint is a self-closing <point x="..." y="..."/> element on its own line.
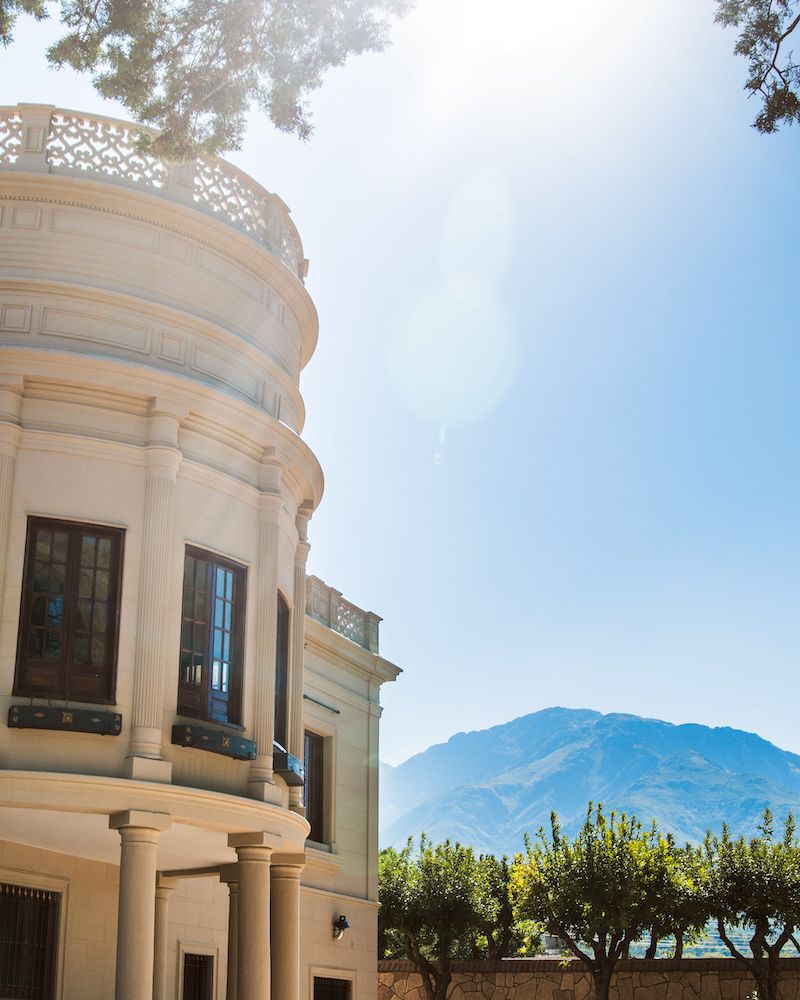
<point x="69" y="615"/>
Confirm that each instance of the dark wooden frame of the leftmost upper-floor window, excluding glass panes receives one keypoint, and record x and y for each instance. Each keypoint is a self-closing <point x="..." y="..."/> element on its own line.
<point x="22" y="685"/>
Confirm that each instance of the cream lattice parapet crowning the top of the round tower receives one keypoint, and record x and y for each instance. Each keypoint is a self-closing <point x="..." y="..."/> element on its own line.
<point x="47" y="139"/>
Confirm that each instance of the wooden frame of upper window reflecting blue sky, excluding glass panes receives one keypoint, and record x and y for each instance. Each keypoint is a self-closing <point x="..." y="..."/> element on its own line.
<point x="234" y="714"/>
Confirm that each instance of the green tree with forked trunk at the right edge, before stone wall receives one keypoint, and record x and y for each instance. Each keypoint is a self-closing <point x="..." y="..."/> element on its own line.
<point x="756" y="884"/>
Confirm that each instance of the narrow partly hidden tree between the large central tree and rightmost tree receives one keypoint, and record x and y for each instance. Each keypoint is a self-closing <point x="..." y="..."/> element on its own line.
<point x="681" y="887"/>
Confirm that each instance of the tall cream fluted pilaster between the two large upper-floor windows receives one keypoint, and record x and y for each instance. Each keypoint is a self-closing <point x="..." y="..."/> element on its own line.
<point x="163" y="459"/>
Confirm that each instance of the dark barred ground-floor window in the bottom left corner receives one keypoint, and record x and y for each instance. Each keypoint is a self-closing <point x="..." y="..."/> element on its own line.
<point x="28" y="942"/>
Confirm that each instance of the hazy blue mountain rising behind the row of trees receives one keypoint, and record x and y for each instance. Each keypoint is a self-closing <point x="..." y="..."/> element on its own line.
<point x="489" y="788"/>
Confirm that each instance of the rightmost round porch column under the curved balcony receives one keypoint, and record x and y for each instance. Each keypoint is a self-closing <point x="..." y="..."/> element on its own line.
<point x="285" y="922"/>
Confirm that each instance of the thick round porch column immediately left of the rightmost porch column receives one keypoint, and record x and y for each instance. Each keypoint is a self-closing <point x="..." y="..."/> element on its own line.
<point x="253" y="946"/>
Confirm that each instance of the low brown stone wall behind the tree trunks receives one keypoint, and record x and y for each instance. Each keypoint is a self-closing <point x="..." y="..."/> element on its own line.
<point x="548" y="979"/>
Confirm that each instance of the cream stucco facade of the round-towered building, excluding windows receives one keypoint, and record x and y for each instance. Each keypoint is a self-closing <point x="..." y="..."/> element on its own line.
<point x="150" y="353"/>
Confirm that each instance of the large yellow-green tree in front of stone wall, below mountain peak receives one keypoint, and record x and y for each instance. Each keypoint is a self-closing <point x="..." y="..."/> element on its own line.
<point x="598" y="892"/>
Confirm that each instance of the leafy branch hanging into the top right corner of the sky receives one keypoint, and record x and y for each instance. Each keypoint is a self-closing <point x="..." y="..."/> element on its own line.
<point x="766" y="32"/>
